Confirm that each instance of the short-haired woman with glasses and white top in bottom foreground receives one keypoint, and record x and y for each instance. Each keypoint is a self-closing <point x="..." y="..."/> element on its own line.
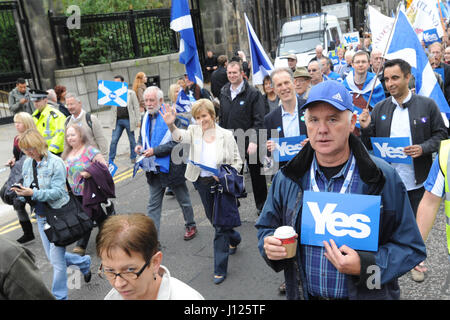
<point x="131" y="261"/>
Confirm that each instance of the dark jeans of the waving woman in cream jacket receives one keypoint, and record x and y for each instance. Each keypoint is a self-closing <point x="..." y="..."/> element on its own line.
<point x="224" y="236"/>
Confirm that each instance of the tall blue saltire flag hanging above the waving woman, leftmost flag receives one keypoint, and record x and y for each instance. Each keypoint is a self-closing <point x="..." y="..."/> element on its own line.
<point x="181" y="22"/>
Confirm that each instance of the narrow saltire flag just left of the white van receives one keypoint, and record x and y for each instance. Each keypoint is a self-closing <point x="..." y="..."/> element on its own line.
<point x="261" y="64"/>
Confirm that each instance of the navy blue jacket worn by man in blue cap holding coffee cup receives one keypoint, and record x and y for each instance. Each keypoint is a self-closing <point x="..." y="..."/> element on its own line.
<point x="400" y="245"/>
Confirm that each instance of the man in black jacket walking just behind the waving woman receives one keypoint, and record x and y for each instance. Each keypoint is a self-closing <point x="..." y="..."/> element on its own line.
<point x="242" y="107"/>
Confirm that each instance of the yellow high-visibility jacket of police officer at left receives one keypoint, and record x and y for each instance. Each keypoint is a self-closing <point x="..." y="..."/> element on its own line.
<point x="51" y="124"/>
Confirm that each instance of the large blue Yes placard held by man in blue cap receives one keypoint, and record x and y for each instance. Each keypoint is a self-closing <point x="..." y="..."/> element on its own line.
<point x="350" y="219"/>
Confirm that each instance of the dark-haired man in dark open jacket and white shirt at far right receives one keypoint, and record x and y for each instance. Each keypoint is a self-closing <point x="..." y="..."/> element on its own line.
<point x="407" y="115"/>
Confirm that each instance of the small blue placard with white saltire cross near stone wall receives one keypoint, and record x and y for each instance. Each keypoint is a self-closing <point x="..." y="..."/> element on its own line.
<point x="112" y="93"/>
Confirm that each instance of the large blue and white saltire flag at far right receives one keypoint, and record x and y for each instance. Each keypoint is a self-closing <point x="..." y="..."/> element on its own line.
<point x="405" y="45"/>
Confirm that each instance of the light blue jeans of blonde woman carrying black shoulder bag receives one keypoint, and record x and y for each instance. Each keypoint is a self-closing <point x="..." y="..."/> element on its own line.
<point x="60" y="260"/>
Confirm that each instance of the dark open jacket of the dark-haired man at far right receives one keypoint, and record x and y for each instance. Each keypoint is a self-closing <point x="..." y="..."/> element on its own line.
<point x="427" y="129"/>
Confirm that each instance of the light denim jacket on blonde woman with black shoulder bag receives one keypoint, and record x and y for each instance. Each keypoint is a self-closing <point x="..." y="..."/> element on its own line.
<point x="51" y="173"/>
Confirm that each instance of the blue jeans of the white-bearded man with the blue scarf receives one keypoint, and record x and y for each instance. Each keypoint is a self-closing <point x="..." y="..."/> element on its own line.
<point x="156" y="197"/>
